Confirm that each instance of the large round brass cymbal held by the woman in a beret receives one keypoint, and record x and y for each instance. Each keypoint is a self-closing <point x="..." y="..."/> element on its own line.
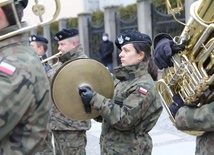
<point x="80" y="72"/>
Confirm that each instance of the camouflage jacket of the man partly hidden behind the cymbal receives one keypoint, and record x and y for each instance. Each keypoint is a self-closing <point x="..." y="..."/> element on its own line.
<point x="58" y="121"/>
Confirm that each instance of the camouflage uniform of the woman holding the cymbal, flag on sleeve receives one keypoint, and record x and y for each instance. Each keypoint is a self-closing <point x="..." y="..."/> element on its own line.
<point x="131" y="114"/>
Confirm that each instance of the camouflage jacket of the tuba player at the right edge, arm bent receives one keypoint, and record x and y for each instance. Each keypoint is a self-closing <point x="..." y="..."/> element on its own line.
<point x="198" y="119"/>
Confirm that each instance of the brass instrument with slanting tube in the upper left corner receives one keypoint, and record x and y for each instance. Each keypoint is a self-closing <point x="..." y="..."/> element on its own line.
<point x="38" y="10"/>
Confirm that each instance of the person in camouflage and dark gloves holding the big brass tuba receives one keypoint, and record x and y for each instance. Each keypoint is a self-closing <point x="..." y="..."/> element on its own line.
<point x="186" y="117"/>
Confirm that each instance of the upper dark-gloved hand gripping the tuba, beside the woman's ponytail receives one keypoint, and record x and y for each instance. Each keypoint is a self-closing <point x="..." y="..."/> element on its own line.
<point x="164" y="50"/>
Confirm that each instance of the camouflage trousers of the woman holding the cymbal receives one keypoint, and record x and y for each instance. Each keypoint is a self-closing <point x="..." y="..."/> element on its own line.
<point x="125" y="144"/>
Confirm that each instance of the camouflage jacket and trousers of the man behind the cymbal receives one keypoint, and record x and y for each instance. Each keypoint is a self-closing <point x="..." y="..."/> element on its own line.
<point x="69" y="134"/>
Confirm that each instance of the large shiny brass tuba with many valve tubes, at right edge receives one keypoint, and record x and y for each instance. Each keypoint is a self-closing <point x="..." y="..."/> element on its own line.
<point x="192" y="74"/>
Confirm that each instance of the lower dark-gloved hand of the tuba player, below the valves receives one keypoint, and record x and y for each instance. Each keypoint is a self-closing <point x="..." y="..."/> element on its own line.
<point x="175" y="106"/>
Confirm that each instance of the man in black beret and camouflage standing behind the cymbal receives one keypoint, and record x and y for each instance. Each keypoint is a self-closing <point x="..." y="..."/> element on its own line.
<point x="69" y="134"/>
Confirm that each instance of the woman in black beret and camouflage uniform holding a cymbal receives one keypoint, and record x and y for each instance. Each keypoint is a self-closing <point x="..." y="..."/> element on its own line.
<point x="135" y="107"/>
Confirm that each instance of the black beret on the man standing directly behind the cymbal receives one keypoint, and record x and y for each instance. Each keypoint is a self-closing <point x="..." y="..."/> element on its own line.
<point x="65" y="33"/>
